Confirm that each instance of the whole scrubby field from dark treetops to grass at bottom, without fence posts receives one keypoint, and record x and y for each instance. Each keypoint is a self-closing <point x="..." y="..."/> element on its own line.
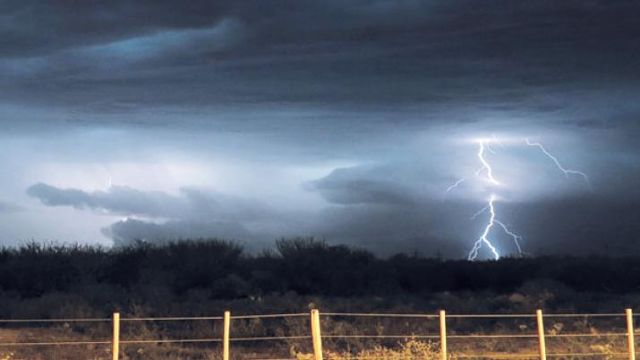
<point x="194" y="283"/>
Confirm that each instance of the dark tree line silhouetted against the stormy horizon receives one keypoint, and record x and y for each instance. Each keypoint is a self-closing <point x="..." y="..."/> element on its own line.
<point x="223" y="270"/>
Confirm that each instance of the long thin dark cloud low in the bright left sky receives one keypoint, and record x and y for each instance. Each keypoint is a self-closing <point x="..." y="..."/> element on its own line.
<point x="188" y="204"/>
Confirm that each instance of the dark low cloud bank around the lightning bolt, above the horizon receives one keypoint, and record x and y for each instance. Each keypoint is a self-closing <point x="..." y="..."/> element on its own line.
<point x="387" y="208"/>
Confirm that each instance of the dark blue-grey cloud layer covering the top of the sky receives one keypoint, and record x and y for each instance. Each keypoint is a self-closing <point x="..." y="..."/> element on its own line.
<point x="497" y="54"/>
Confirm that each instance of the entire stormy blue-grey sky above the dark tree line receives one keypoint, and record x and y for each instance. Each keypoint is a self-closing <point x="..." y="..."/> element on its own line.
<point x="346" y="121"/>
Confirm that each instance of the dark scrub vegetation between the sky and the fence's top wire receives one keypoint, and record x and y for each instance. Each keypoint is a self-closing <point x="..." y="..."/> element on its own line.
<point x="44" y="280"/>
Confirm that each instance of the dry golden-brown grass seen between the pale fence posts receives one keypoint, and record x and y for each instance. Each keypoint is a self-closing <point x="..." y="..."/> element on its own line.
<point x="598" y="340"/>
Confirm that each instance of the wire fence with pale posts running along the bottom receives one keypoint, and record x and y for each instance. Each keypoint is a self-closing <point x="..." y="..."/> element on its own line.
<point x="523" y="337"/>
